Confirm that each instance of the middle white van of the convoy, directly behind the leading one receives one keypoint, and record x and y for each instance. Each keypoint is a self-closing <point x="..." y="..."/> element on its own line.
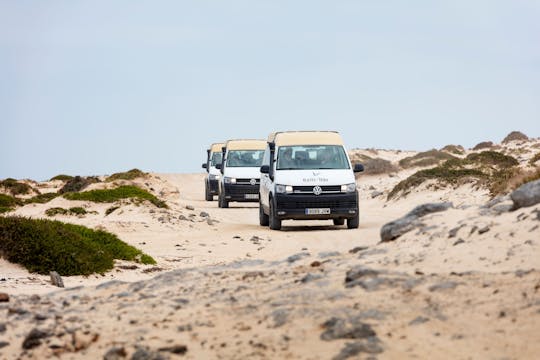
<point x="240" y="169"/>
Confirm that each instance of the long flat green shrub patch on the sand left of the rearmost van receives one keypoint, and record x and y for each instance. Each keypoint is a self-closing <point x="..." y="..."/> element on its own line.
<point x="112" y="195"/>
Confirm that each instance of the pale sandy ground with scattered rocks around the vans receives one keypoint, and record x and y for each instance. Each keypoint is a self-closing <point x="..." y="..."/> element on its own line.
<point x="465" y="285"/>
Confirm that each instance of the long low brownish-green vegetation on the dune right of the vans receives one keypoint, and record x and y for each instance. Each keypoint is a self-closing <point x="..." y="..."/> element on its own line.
<point x="490" y="169"/>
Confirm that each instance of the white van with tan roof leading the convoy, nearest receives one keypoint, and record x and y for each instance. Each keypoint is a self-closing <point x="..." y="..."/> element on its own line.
<point x="307" y="175"/>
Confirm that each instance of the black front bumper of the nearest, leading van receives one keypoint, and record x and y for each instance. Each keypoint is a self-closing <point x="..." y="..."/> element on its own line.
<point x="295" y="206"/>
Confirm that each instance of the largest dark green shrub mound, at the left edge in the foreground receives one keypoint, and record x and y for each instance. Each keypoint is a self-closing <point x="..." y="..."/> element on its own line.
<point x="44" y="245"/>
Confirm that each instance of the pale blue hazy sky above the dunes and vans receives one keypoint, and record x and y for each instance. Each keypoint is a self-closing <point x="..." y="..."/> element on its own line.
<point x="95" y="87"/>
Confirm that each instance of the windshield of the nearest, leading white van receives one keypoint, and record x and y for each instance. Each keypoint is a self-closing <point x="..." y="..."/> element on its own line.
<point x="312" y="157"/>
